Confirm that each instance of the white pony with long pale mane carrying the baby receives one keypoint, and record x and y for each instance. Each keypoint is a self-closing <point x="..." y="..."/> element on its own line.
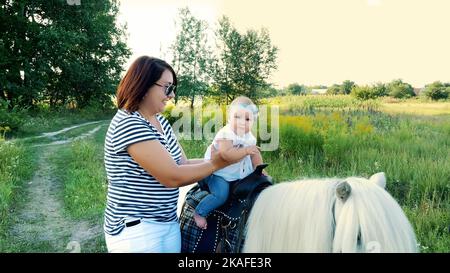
<point x="329" y="215"/>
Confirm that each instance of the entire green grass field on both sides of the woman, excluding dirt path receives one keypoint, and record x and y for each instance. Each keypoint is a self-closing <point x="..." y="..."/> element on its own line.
<point x="319" y="137"/>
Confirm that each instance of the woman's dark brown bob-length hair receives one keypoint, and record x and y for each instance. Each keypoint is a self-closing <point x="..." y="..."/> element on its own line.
<point x="144" y="72"/>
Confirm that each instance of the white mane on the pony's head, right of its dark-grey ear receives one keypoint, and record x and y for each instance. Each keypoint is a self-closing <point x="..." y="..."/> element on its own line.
<point x="374" y="216"/>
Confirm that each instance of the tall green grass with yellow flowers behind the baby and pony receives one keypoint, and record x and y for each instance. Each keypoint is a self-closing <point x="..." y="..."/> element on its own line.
<point x="412" y="151"/>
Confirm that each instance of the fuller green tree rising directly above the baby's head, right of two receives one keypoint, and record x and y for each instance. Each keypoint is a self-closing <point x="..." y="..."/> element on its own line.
<point x="244" y="62"/>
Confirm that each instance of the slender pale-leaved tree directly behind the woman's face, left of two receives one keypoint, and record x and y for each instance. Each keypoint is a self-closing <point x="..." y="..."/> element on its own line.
<point x="191" y="56"/>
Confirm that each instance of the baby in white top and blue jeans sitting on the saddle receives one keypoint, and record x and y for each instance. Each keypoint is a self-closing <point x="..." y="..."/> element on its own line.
<point x="233" y="141"/>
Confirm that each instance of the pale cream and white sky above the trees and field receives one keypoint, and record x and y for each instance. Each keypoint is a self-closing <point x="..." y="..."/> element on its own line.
<point x="319" y="41"/>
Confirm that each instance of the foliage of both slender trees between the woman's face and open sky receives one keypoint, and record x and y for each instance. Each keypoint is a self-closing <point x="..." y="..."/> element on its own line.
<point x="241" y="65"/>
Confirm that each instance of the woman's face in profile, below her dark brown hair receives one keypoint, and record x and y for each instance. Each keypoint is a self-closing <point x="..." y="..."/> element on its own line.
<point x="155" y="100"/>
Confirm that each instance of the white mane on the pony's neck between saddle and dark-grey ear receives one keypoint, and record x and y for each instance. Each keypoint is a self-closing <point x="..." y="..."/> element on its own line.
<point x="290" y="216"/>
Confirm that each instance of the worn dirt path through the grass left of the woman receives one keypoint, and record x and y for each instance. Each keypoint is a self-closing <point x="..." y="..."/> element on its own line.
<point x="40" y="224"/>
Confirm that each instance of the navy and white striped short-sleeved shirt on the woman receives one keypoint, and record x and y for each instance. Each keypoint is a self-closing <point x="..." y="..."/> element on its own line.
<point x="133" y="192"/>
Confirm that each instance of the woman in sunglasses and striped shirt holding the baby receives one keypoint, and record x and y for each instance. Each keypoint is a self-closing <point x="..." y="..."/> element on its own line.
<point x="145" y="164"/>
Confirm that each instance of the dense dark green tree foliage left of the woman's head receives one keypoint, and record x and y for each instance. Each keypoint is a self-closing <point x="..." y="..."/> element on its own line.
<point x="60" y="54"/>
